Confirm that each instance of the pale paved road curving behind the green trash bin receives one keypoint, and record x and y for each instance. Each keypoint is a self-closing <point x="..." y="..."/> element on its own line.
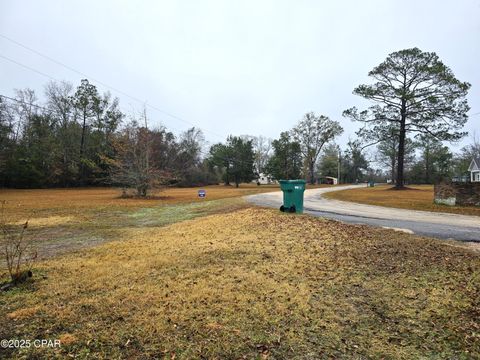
<point x="438" y="225"/>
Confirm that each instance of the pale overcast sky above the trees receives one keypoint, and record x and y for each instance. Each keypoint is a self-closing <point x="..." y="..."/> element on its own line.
<point x="235" y="67"/>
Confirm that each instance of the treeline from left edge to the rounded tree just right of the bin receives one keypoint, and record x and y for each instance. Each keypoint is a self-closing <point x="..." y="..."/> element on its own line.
<point x="79" y="137"/>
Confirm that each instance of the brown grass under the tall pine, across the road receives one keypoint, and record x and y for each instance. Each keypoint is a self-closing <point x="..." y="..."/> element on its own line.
<point x="418" y="197"/>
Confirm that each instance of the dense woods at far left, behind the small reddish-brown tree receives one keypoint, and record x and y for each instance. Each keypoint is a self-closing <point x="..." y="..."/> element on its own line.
<point x="76" y="137"/>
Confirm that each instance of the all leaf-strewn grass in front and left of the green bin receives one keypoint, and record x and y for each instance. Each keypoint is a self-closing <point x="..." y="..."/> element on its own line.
<point x="220" y="279"/>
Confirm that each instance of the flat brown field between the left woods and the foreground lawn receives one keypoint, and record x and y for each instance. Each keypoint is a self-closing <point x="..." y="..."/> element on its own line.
<point x="61" y="220"/>
